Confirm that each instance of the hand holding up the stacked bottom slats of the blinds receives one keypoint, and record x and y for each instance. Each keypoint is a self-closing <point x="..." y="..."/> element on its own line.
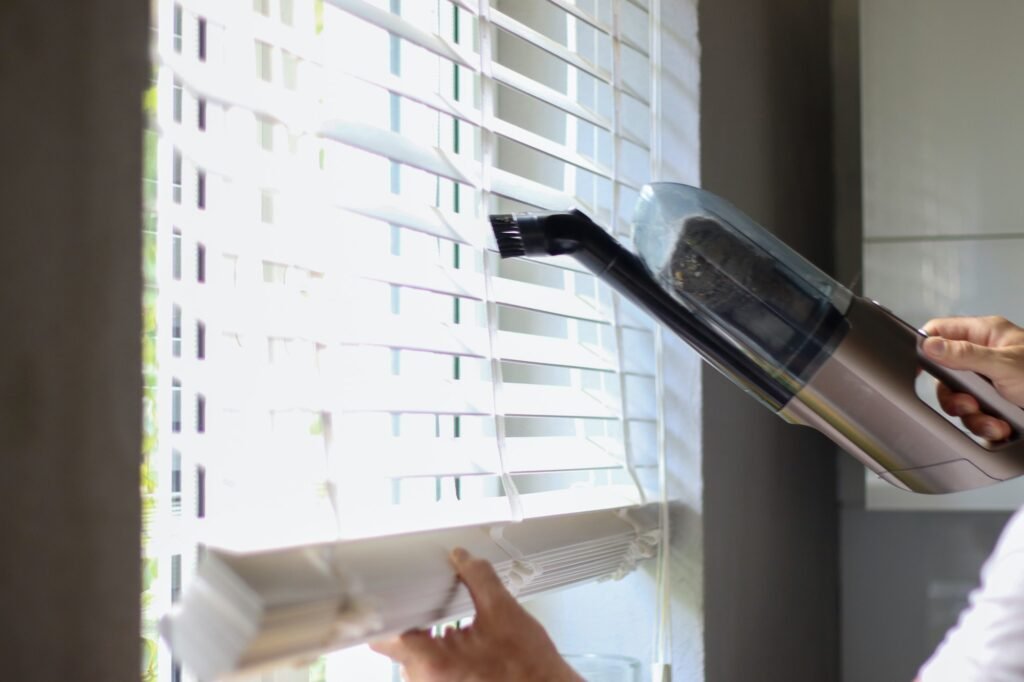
<point x="504" y="645"/>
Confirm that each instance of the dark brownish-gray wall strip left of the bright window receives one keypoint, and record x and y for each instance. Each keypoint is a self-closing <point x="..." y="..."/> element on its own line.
<point x="70" y="381"/>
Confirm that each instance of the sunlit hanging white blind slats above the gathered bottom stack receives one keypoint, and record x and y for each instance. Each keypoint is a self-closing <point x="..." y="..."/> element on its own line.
<point x="369" y="365"/>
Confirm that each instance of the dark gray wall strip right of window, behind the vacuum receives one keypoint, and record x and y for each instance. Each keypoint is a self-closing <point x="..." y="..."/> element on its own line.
<point x="771" y="519"/>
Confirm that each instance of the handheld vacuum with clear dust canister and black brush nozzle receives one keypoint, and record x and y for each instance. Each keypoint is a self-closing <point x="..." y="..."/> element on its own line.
<point x="788" y="334"/>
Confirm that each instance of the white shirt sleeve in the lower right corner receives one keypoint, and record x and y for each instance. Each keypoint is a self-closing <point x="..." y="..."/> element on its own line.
<point x="988" y="643"/>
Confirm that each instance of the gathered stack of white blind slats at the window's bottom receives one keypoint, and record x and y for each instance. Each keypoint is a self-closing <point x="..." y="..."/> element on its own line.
<point x="245" y="612"/>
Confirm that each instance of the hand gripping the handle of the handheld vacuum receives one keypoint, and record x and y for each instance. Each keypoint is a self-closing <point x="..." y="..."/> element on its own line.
<point x="993" y="348"/>
